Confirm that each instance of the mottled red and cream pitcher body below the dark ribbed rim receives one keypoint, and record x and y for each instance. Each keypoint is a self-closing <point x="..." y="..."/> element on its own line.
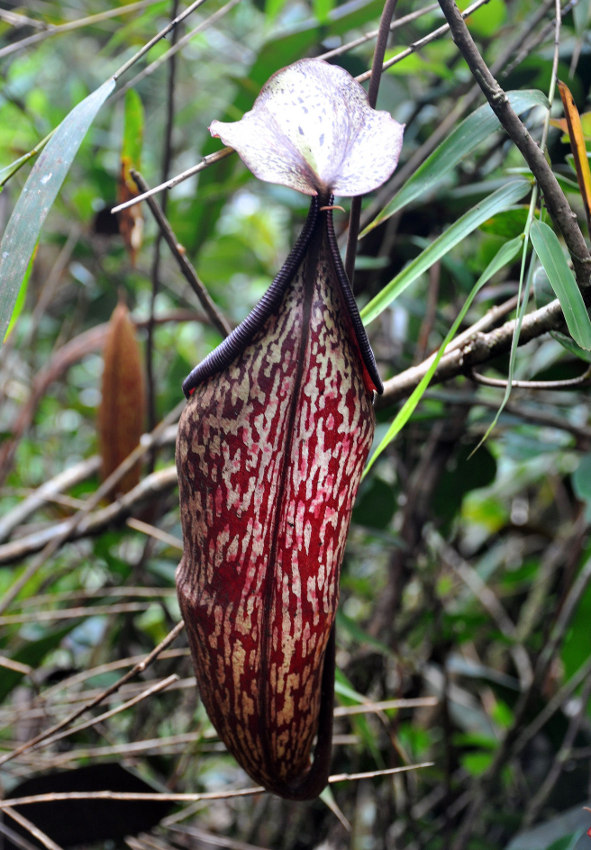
<point x="270" y="453"/>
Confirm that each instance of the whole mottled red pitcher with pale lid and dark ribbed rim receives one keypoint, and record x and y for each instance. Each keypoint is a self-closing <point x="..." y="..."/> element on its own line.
<point x="272" y="445"/>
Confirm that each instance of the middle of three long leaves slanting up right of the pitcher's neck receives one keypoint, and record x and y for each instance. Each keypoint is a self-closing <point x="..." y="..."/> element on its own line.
<point x="500" y="200"/>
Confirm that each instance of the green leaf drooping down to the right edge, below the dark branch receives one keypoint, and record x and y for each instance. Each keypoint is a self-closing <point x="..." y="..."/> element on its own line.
<point x="550" y="253"/>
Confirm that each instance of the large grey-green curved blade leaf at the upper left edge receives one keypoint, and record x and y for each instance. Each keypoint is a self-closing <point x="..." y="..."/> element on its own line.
<point x="38" y="195"/>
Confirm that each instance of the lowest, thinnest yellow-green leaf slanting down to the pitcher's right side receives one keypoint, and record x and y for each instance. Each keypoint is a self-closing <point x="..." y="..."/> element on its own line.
<point x="505" y="255"/>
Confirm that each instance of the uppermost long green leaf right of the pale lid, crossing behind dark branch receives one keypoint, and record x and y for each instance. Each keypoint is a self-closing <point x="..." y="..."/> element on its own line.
<point x="466" y="137"/>
